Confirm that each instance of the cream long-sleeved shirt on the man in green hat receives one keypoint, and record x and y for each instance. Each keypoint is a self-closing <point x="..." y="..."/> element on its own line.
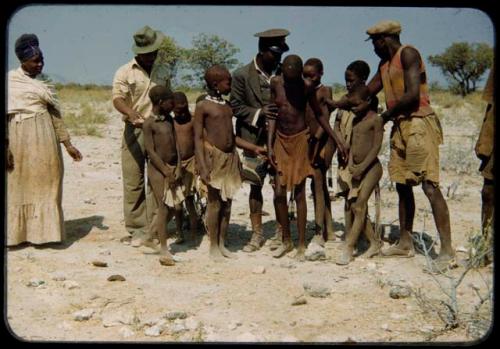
<point x="132" y="83"/>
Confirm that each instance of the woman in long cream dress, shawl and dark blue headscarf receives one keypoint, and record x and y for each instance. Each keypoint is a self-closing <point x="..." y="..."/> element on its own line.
<point x="34" y="158"/>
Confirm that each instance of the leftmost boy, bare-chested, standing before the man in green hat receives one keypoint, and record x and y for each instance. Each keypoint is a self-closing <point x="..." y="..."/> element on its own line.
<point x="163" y="166"/>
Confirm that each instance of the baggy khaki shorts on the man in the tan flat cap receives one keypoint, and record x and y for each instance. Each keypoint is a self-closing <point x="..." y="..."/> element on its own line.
<point x="414" y="153"/>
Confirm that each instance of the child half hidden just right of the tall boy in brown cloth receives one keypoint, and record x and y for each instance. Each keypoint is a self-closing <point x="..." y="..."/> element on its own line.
<point x="323" y="154"/>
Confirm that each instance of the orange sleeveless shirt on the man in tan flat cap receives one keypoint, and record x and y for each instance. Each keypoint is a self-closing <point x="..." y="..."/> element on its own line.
<point x="392" y="74"/>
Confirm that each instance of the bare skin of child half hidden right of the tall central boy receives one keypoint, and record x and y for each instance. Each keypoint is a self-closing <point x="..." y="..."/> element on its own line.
<point x="322" y="203"/>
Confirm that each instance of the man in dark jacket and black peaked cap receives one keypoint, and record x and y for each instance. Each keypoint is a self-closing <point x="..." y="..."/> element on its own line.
<point x="250" y="100"/>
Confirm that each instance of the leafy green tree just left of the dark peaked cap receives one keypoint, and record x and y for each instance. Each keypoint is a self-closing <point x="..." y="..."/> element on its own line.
<point x="207" y="51"/>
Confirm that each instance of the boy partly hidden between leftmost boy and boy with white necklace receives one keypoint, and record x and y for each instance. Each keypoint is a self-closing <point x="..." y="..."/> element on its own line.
<point x="183" y="124"/>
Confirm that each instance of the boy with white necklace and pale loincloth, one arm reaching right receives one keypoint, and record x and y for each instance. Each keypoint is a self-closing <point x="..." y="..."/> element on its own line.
<point x="216" y="156"/>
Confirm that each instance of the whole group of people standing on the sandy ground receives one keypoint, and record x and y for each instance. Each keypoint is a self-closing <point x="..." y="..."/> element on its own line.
<point x="282" y="113"/>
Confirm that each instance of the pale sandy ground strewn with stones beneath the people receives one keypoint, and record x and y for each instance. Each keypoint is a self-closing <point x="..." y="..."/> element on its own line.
<point x="248" y="299"/>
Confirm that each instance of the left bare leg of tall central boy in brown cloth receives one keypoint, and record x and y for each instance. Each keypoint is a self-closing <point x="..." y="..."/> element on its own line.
<point x="281" y="208"/>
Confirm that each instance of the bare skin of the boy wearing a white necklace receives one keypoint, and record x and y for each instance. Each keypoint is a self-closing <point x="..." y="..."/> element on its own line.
<point x="213" y="124"/>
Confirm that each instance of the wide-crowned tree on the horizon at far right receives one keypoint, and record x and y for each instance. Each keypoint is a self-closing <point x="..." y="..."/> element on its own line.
<point x="463" y="64"/>
